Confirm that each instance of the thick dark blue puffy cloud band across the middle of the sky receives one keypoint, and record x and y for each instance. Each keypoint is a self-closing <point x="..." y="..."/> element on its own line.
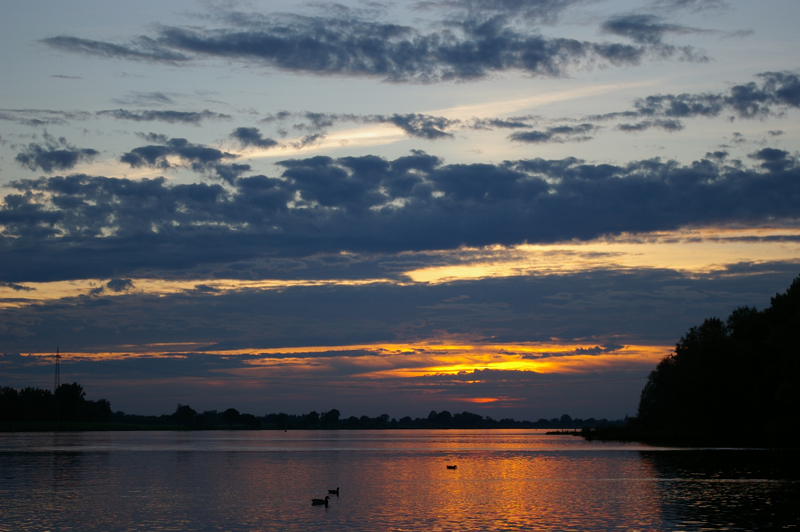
<point x="79" y="225"/>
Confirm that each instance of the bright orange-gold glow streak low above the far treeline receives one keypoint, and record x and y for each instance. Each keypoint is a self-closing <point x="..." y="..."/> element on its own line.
<point x="402" y="361"/>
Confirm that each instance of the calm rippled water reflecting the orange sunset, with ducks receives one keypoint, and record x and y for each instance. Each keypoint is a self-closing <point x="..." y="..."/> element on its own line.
<point x="389" y="480"/>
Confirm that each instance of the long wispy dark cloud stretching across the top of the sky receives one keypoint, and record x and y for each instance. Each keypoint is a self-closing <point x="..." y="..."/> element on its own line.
<point x="468" y="48"/>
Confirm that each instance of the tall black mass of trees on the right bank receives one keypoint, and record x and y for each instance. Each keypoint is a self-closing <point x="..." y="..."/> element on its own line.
<point x="735" y="382"/>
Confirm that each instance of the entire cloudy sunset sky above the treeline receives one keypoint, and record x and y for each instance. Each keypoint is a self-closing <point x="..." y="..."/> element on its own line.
<point x="509" y="207"/>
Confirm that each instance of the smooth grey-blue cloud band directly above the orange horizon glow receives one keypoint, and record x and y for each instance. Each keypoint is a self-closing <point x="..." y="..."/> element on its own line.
<point x="601" y="308"/>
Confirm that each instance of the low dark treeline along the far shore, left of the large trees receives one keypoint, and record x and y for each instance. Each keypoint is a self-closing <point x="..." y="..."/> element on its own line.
<point x="69" y="405"/>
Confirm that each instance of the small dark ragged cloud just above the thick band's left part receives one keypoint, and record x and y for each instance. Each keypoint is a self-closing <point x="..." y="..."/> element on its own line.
<point x="200" y="158"/>
